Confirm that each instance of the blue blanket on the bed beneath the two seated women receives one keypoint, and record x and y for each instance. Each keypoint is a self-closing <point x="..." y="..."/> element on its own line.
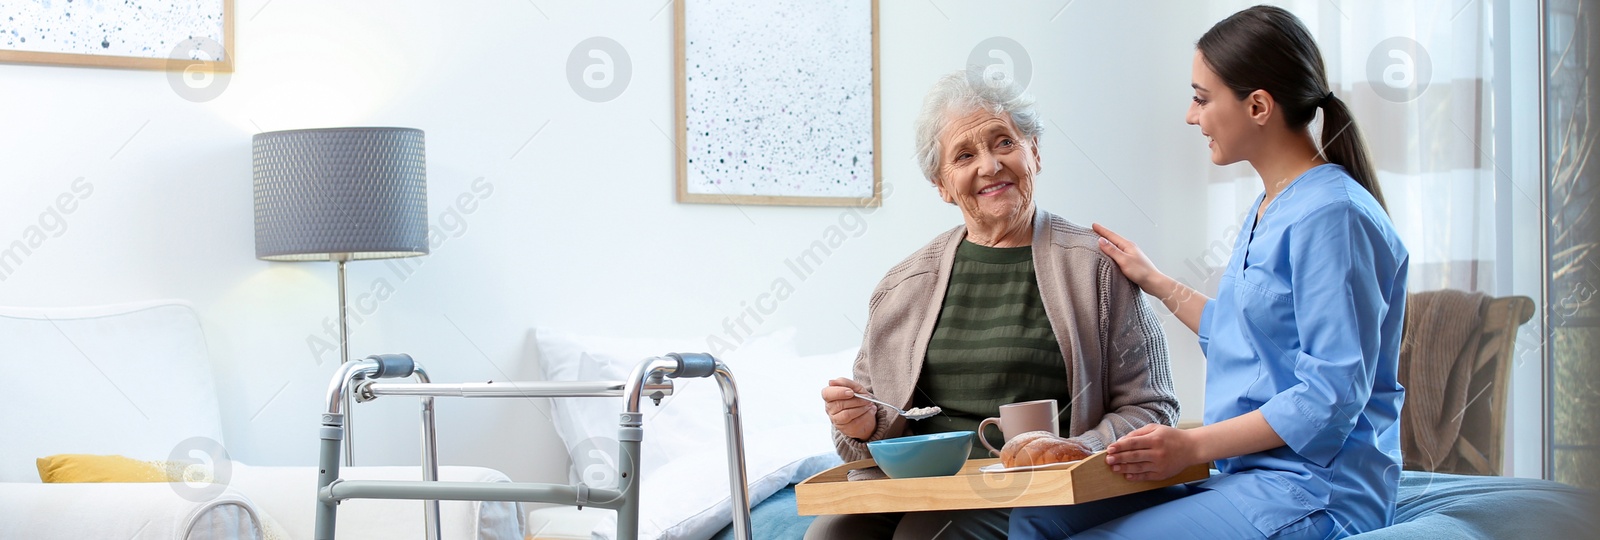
<point x="1431" y="507"/>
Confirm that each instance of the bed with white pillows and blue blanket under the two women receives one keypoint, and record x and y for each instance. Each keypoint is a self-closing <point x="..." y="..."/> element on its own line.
<point x="775" y="378"/>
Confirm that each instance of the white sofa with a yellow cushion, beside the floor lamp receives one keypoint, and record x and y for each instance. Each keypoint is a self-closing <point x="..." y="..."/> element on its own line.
<point x="137" y="381"/>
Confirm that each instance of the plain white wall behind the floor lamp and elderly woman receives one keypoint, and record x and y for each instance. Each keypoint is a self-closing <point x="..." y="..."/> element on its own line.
<point x="580" y="231"/>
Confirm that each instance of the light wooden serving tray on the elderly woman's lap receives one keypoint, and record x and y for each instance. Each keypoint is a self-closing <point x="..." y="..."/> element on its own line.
<point x="830" y="493"/>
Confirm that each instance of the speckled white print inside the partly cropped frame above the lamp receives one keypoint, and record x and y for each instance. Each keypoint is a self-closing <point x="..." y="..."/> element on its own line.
<point x="124" y="28"/>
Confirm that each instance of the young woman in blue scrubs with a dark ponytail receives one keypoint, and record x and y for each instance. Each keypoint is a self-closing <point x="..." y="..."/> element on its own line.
<point x="1303" y="338"/>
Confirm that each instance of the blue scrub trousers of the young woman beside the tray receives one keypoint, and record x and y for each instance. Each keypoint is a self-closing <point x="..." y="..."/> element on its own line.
<point x="1169" y="514"/>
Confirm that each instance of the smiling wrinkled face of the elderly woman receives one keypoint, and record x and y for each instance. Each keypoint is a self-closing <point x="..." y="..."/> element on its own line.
<point x="988" y="169"/>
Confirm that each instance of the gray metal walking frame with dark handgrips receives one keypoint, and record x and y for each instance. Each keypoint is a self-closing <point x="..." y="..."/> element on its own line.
<point x="650" y="379"/>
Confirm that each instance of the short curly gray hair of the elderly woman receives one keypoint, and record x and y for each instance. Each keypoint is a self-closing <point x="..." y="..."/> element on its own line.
<point x="964" y="92"/>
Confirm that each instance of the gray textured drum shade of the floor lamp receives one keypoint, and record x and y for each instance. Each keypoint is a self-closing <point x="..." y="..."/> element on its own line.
<point x="340" y="193"/>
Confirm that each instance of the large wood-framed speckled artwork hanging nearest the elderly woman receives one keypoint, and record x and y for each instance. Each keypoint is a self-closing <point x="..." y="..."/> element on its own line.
<point x="778" y="103"/>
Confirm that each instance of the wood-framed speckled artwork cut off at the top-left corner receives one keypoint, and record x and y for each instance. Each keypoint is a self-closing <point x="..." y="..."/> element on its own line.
<point x="146" y="34"/>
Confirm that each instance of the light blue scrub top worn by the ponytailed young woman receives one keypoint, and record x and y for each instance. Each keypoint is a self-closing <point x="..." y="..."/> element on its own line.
<point x="1306" y="330"/>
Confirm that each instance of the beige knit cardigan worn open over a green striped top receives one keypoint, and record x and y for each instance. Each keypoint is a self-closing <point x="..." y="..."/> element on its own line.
<point x="1114" y="349"/>
